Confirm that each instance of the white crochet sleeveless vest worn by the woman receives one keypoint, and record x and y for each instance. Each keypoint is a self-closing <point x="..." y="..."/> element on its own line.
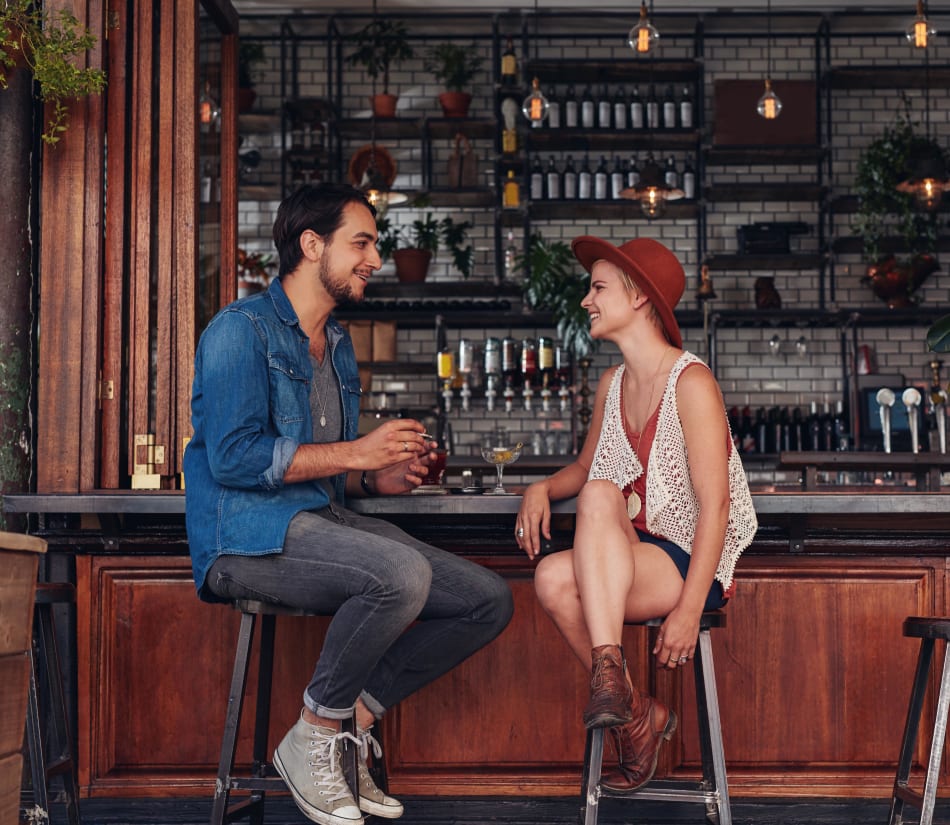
<point x="671" y="506"/>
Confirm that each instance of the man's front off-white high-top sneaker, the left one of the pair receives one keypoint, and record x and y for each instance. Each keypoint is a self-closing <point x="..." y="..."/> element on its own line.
<point x="308" y="759"/>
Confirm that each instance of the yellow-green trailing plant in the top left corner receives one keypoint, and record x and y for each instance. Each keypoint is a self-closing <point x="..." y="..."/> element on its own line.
<point x="48" y="45"/>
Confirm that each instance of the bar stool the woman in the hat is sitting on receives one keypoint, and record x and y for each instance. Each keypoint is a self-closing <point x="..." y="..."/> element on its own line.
<point x="712" y="790"/>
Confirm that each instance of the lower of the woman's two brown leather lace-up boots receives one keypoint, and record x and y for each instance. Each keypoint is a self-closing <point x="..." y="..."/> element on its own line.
<point x="638" y="744"/>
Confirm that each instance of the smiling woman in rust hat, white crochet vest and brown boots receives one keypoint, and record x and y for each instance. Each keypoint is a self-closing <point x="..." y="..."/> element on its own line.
<point x="663" y="507"/>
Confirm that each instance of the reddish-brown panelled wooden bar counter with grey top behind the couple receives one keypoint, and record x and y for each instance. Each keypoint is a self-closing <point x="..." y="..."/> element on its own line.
<point x="813" y="671"/>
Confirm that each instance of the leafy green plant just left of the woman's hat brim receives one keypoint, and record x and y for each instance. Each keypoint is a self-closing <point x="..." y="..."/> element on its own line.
<point x="551" y="284"/>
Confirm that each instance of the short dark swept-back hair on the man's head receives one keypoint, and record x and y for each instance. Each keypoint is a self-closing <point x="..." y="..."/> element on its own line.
<point x="315" y="207"/>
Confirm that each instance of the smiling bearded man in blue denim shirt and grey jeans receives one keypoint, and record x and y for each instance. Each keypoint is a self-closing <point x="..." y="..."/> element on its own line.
<point x="274" y="455"/>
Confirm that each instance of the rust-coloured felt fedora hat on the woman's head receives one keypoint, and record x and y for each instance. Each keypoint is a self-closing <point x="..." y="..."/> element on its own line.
<point x="652" y="266"/>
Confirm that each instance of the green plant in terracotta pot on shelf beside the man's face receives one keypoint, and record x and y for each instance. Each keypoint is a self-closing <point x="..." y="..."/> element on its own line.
<point x="412" y="245"/>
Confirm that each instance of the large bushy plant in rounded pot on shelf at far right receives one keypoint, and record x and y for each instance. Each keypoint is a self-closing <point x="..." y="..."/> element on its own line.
<point x="885" y="213"/>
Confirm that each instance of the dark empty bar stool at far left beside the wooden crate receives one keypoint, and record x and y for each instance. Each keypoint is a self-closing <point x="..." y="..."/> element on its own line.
<point x="54" y="755"/>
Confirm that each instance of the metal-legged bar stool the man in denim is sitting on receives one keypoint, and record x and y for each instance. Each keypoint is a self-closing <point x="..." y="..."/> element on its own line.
<point x="263" y="777"/>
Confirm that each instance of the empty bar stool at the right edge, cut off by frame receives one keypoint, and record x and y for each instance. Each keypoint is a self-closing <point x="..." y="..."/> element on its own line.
<point x="928" y="630"/>
